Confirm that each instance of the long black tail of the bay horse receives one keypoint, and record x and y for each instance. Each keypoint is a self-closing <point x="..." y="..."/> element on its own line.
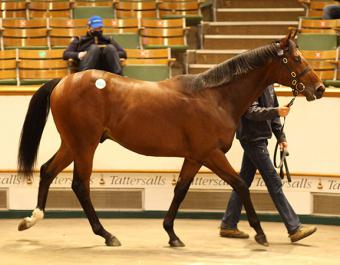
<point x="33" y="127"/>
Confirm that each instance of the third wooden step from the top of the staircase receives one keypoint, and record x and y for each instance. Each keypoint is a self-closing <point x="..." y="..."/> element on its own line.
<point x="248" y="27"/>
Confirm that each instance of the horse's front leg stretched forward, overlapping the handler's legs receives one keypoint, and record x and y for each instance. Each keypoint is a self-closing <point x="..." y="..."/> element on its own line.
<point x="219" y="164"/>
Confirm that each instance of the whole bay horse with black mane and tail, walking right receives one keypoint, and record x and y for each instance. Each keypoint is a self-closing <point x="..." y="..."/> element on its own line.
<point x="189" y="116"/>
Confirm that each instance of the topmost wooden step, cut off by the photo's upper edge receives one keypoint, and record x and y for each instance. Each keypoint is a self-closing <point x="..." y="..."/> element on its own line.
<point x="258" y="3"/>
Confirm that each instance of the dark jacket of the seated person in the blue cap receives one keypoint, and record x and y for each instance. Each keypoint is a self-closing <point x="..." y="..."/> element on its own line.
<point x="83" y="44"/>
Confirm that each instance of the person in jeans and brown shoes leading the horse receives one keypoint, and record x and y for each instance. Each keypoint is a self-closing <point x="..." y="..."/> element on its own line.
<point x="255" y="128"/>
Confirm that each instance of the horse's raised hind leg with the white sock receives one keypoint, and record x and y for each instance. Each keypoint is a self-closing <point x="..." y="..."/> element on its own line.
<point x="48" y="172"/>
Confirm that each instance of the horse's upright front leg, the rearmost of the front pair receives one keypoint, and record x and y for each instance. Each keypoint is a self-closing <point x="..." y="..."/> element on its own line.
<point x="187" y="174"/>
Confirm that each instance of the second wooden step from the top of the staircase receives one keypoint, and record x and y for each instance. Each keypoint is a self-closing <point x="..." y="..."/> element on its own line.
<point x="259" y="14"/>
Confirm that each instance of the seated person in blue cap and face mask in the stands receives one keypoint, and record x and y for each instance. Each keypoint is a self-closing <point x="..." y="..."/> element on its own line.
<point x="95" y="51"/>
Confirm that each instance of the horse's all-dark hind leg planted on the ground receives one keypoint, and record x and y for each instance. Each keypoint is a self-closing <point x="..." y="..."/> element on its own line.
<point x="81" y="187"/>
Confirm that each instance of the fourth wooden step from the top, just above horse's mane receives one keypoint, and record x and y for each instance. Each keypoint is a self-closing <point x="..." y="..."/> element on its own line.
<point x="238" y="41"/>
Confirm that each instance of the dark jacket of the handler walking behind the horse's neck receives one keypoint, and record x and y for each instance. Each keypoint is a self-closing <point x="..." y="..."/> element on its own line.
<point x="261" y="120"/>
